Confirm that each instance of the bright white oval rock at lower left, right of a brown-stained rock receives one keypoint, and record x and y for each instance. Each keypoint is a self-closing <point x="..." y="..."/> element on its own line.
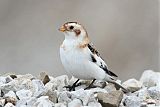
<point x="23" y="94"/>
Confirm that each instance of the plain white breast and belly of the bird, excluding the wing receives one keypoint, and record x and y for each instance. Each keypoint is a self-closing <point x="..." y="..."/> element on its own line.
<point x="75" y="61"/>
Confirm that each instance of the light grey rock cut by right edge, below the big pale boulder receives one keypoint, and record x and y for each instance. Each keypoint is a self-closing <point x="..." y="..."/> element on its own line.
<point x="154" y="92"/>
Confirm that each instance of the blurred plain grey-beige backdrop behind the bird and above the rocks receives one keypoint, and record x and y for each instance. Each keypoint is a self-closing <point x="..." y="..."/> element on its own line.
<point x="124" y="31"/>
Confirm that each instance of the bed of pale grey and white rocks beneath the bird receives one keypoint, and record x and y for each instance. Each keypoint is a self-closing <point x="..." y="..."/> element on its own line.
<point x="46" y="91"/>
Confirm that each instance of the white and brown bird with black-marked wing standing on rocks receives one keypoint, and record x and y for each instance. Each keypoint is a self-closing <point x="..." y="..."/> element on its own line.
<point x="80" y="58"/>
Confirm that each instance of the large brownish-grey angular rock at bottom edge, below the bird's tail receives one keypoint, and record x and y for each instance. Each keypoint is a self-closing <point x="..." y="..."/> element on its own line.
<point x="111" y="99"/>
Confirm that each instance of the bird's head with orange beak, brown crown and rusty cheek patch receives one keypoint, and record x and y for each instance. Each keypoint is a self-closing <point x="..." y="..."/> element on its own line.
<point x="73" y="31"/>
